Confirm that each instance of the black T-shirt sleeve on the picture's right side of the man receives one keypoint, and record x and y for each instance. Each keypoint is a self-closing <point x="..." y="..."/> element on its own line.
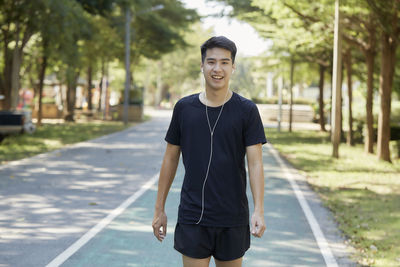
<point x="254" y="130"/>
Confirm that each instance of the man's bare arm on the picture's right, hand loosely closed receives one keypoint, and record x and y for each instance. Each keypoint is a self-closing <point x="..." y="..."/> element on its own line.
<point x="256" y="176"/>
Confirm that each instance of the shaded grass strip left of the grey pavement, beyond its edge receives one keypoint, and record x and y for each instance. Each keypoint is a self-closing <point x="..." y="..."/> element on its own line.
<point x="53" y="136"/>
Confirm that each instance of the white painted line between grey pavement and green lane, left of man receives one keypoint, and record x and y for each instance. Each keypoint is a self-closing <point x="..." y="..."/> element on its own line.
<point x="61" y="258"/>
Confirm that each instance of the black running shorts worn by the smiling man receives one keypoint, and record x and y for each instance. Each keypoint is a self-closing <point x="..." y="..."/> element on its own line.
<point x="224" y="243"/>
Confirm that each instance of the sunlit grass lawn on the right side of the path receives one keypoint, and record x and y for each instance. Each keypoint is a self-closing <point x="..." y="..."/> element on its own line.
<point x="362" y="192"/>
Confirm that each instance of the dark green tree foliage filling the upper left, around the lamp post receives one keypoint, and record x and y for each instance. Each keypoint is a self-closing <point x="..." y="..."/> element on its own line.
<point x="74" y="35"/>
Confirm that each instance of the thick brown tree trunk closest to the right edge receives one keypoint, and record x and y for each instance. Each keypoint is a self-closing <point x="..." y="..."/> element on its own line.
<point x="385" y="92"/>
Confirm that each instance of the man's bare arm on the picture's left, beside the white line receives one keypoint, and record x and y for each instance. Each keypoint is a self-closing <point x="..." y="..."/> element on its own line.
<point x="167" y="175"/>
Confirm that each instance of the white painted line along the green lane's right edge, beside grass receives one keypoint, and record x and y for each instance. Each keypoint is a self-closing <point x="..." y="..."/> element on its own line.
<point x="316" y="229"/>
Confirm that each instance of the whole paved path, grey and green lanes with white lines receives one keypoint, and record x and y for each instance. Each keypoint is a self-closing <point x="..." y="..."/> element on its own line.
<point x="65" y="208"/>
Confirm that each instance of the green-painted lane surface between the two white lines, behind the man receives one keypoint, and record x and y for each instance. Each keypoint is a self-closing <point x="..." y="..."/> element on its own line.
<point x="129" y="241"/>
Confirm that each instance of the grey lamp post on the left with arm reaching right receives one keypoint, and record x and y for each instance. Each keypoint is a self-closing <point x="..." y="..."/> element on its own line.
<point x="128" y="55"/>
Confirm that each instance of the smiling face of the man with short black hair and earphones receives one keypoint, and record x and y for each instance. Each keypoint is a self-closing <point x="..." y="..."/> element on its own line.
<point x="217" y="68"/>
